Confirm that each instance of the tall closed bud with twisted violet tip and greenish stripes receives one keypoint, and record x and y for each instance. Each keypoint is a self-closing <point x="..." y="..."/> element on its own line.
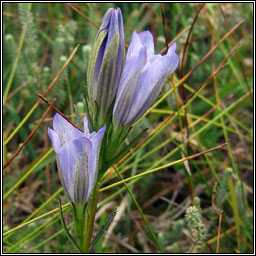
<point x="105" y="65"/>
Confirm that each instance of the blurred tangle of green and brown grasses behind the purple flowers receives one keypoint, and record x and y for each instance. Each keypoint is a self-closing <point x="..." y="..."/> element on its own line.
<point x="209" y="211"/>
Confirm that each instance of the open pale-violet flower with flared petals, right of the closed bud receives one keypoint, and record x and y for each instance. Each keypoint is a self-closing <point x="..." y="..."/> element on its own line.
<point x="142" y="79"/>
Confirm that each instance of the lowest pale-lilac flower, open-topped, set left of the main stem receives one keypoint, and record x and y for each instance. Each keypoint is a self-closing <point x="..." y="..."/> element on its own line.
<point x="77" y="157"/>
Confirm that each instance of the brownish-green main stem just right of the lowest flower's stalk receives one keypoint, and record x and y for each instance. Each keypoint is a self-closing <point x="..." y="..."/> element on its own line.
<point x="89" y="227"/>
